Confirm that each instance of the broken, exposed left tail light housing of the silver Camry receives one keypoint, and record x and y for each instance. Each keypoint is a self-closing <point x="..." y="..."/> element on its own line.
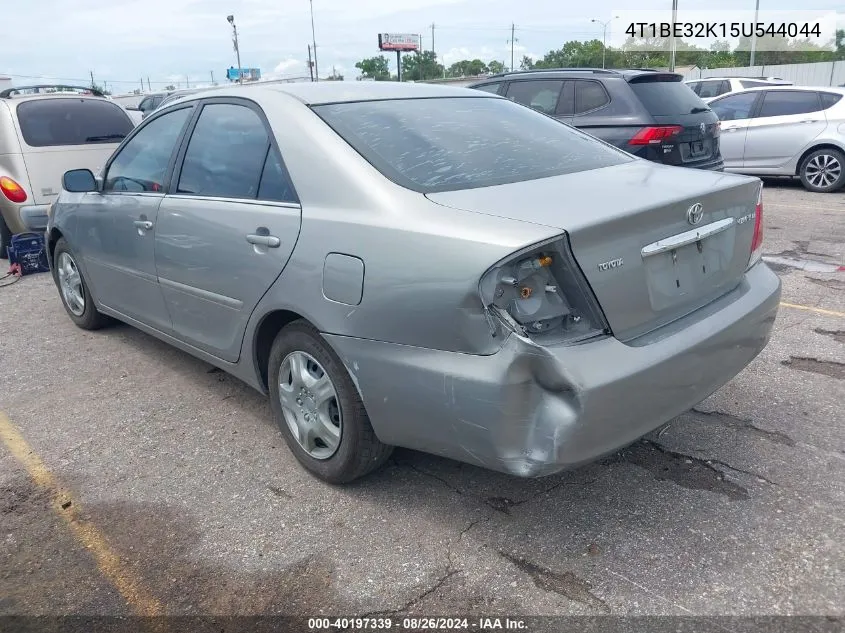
<point x="540" y="292"/>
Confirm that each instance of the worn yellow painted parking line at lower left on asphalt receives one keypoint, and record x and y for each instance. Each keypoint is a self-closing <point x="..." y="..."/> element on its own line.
<point x="139" y="599"/>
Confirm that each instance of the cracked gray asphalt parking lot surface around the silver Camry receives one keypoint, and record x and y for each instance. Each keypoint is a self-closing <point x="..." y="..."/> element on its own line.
<point x="735" y="507"/>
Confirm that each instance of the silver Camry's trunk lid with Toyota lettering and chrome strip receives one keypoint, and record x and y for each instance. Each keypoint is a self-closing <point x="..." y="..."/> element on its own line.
<point x="628" y="225"/>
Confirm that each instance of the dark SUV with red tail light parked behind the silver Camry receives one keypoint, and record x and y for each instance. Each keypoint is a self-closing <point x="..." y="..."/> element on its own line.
<point x="648" y="113"/>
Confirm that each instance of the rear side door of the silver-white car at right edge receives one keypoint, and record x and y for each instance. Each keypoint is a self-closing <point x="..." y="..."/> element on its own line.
<point x="787" y="122"/>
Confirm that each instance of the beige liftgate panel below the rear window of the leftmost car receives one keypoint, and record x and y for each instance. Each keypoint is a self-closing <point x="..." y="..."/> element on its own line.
<point x="46" y="166"/>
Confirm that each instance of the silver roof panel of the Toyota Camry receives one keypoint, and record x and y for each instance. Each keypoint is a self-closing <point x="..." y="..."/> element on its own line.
<point x="316" y="93"/>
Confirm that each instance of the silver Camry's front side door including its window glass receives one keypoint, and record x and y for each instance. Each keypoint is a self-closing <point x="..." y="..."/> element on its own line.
<point x="115" y="226"/>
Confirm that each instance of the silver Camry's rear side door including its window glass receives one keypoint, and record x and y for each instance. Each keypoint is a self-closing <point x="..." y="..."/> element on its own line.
<point x="227" y="227"/>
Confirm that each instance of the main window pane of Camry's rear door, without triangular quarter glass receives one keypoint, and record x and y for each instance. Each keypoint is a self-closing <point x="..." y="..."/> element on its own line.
<point x="226" y="153"/>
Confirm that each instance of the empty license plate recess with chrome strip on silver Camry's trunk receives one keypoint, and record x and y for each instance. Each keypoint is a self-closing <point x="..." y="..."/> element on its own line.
<point x="689" y="265"/>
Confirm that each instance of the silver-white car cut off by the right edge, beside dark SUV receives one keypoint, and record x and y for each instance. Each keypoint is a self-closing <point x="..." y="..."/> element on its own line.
<point x="786" y="131"/>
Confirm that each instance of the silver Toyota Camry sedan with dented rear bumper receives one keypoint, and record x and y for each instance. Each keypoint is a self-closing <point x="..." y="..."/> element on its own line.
<point x="421" y="266"/>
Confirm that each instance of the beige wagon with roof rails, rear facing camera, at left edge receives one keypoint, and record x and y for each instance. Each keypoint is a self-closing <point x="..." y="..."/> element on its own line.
<point x="42" y="135"/>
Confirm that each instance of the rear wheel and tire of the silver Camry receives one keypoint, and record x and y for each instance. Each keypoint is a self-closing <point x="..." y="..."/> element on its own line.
<point x="318" y="409"/>
